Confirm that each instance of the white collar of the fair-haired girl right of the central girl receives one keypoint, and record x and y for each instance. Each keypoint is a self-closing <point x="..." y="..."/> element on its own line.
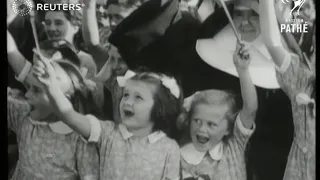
<point x="192" y="156"/>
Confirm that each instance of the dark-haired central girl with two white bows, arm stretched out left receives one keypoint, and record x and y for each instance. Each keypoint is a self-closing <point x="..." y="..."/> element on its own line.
<point x="139" y="146"/>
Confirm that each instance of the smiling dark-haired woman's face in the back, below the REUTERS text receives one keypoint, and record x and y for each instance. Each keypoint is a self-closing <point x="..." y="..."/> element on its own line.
<point x="58" y="27"/>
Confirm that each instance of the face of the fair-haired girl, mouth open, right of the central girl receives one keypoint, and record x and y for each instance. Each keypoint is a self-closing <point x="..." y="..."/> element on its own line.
<point x="208" y="126"/>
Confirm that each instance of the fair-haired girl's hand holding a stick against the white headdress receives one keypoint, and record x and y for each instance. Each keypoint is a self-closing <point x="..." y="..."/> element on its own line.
<point x="241" y="57"/>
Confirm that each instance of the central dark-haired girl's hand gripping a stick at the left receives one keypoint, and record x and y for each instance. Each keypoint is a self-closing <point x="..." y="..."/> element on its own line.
<point x="45" y="73"/>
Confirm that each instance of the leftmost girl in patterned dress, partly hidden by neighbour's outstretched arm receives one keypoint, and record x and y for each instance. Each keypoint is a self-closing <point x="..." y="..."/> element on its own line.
<point x="48" y="148"/>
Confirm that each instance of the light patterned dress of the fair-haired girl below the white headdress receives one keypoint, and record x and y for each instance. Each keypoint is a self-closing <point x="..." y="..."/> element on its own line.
<point x="224" y="162"/>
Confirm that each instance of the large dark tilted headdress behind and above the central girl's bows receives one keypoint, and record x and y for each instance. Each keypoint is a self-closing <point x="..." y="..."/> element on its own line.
<point x="144" y="25"/>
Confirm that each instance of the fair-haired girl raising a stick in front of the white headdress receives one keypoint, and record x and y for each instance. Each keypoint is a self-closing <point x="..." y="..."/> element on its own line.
<point x="217" y="130"/>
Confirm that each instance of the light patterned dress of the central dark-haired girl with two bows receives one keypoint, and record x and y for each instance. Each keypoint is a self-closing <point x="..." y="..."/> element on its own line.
<point x="124" y="157"/>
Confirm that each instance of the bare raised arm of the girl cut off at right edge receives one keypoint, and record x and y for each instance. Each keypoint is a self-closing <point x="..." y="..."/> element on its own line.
<point x="271" y="34"/>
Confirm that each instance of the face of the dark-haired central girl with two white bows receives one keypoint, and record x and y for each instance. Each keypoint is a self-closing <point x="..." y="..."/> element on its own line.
<point x="136" y="105"/>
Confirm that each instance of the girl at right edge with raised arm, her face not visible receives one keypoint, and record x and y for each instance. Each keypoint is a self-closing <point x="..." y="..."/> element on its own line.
<point x="298" y="81"/>
